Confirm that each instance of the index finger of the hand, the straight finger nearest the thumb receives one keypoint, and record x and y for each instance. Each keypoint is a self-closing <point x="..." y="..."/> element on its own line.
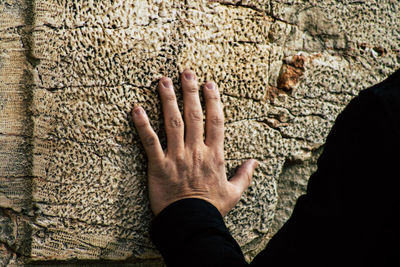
<point x="214" y="116"/>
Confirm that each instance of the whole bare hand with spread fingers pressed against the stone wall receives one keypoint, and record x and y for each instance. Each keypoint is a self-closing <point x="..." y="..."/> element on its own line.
<point x="190" y="167"/>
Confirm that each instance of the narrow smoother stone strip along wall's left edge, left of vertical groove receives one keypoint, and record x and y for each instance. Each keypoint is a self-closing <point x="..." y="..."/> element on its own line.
<point x="16" y="150"/>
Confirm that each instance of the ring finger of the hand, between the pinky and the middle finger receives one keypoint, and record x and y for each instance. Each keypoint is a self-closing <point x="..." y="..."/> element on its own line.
<point x="173" y="120"/>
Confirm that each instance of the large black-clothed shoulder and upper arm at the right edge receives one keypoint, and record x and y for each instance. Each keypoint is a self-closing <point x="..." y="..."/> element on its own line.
<point x="349" y="215"/>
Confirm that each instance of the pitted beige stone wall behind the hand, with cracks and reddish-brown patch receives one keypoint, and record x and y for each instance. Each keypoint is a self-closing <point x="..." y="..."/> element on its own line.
<point x="72" y="170"/>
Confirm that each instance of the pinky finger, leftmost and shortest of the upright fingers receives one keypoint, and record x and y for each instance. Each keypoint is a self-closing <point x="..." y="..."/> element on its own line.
<point x="147" y="135"/>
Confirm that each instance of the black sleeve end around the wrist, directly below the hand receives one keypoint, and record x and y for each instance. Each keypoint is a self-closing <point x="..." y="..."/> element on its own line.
<point x="192" y="232"/>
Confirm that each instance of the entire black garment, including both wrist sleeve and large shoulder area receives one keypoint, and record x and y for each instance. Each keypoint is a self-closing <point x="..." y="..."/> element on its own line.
<point x="347" y="217"/>
